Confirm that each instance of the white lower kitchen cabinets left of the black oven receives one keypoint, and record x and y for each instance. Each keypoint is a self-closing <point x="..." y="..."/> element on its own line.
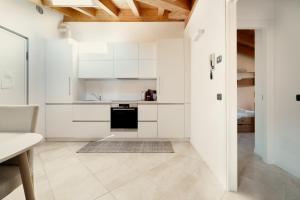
<point x="60" y="124"/>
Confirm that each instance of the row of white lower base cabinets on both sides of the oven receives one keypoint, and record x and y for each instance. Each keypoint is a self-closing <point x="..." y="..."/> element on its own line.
<point x="60" y="123"/>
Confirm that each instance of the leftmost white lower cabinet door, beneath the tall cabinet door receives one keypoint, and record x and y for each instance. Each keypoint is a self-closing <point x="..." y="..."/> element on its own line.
<point x="59" y="121"/>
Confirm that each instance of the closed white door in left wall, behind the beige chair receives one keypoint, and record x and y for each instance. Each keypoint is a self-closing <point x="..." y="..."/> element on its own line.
<point x="13" y="68"/>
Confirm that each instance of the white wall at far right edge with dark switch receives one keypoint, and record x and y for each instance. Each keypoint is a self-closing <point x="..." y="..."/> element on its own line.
<point x="287" y="85"/>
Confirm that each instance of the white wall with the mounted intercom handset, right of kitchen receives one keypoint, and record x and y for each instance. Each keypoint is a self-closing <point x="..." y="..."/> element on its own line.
<point x="208" y="128"/>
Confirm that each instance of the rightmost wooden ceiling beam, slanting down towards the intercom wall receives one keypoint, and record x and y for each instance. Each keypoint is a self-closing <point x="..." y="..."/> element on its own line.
<point x="171" y="5"/>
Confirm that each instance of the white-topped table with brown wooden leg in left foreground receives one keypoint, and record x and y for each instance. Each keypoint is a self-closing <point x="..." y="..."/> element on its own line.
<point x="17" y="145"/>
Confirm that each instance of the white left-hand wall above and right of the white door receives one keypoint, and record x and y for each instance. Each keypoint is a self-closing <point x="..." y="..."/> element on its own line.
<point x="21" y="16"/>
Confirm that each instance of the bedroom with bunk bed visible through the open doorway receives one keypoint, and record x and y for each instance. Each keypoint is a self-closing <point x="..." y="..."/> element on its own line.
<point x="245" y="94"/>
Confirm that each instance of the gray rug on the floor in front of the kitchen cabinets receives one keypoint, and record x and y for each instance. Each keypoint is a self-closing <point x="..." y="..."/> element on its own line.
<point x="128" y="147"/>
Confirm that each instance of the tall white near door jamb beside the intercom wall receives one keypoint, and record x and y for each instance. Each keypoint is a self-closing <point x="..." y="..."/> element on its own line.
<point x="231" y="97"/>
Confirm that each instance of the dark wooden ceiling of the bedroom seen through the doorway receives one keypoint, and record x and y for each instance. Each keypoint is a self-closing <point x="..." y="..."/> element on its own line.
<point x="246" y="42"/>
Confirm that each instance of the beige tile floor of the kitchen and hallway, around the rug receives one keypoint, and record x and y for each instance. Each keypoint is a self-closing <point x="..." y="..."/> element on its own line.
<point x="62" y="174"/>
